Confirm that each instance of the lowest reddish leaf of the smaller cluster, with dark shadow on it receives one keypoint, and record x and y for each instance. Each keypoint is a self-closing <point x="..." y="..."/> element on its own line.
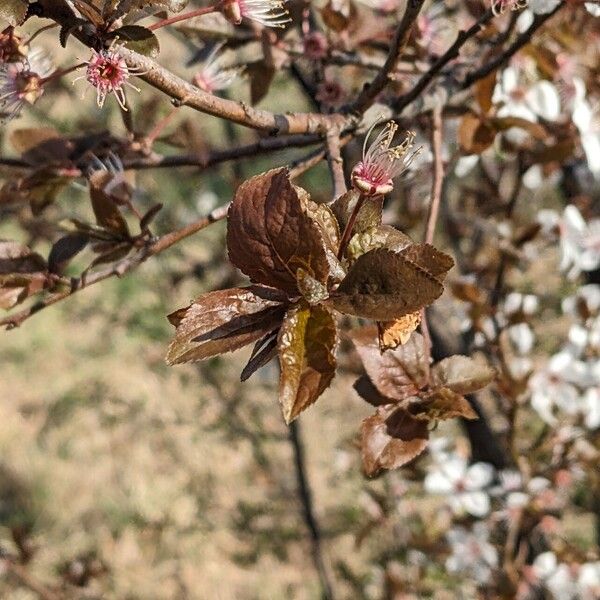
<point x="391" y="438"/>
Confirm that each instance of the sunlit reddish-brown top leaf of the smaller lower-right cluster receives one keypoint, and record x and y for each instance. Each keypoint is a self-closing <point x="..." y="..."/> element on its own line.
<point x="397" y="374"/>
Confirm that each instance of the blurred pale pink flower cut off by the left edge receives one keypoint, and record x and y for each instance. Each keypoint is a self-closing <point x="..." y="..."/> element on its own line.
<point x="22" y="82"/>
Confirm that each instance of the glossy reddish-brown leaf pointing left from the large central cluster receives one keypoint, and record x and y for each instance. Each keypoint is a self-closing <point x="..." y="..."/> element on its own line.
<point x="224" y="321"/>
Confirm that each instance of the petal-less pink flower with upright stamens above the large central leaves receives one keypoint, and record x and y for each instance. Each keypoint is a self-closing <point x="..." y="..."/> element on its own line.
<point x="380" y="164"/>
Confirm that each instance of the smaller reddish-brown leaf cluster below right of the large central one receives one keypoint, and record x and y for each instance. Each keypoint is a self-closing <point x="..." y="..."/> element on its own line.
<point x="410" y="395"/>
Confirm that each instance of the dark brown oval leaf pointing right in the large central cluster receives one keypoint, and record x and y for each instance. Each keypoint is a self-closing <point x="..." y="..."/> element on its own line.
<point x="384" y="285"/>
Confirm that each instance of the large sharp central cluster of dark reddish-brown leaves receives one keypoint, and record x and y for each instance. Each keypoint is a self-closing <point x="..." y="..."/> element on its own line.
<point x="289" y="246"/>
